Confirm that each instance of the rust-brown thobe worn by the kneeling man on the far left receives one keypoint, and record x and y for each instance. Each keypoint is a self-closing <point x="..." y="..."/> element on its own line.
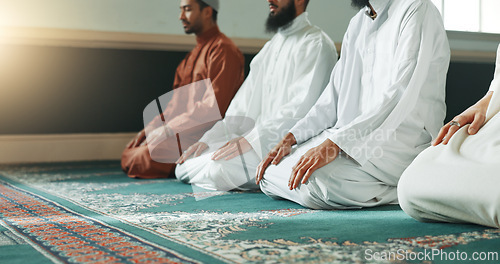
<point x="216" y="57"/>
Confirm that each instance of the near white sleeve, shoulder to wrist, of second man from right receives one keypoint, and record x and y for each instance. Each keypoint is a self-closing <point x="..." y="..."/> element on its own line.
<point x="423" y="56"/>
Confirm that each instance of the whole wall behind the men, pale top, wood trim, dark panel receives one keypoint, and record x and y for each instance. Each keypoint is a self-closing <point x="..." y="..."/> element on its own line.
<point x="73" y="101"/>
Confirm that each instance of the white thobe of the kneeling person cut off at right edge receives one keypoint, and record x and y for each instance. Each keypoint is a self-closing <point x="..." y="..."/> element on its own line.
<point x="459" y="182"/>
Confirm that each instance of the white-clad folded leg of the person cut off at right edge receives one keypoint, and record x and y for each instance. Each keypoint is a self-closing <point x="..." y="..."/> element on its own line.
<point x="431" y="190"/>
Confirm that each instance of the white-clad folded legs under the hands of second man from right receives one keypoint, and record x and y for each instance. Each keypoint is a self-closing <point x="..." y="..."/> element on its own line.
<point x="340" y="184"/>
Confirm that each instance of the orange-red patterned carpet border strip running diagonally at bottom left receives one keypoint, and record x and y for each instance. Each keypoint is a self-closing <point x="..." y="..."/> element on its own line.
<point x="65" y="236"/>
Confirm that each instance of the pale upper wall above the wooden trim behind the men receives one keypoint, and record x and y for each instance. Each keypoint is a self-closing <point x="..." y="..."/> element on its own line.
<point x="238" y="18"/>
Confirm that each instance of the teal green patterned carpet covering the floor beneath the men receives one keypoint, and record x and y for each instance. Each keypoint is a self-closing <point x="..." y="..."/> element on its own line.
<point x="92" y="213"/>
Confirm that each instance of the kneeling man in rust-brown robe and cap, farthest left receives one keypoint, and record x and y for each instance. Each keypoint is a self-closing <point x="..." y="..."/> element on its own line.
<point x="215" y="57"/>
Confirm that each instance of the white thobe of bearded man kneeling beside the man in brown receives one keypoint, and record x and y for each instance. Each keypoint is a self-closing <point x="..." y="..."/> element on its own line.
<point x="286" y="78"/>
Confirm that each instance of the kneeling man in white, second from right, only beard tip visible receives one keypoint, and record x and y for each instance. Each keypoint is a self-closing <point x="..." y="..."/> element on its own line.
<point x="383" y="105"/>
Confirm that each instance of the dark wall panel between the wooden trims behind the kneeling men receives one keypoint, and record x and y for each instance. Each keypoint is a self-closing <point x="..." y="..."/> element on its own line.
<point x="52" y="90"/>
